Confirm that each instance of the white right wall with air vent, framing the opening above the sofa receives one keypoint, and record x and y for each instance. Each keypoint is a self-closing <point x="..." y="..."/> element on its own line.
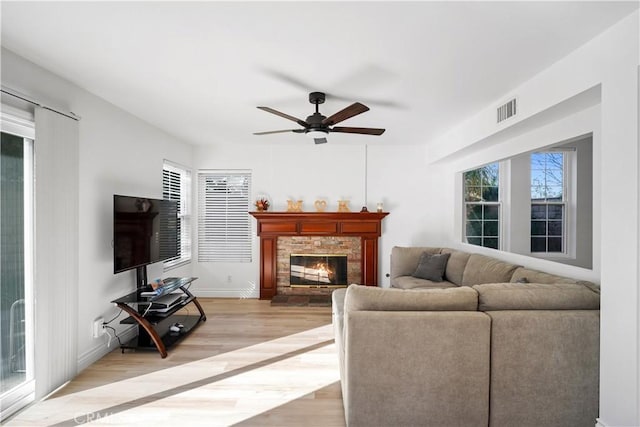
<point x="608" y="62"/>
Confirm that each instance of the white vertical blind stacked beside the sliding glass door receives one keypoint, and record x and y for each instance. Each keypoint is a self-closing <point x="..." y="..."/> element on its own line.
<point x="57" y="250"/>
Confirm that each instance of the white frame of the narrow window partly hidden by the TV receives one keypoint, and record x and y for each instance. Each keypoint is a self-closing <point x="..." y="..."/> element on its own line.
<point x="184" y="212"/>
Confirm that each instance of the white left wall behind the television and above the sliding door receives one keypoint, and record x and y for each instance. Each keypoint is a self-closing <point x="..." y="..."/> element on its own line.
<point x="118" y="154"/>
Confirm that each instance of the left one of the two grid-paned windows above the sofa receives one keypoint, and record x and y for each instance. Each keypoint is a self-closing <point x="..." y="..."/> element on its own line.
<point x="482" y="206"/>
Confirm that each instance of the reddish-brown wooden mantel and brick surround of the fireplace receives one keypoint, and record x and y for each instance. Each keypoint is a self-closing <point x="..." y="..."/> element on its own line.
<point x="275" y="227"/>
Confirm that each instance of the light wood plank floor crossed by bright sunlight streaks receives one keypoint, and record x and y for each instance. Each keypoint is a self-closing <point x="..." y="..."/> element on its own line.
<point x="249" y="364"/>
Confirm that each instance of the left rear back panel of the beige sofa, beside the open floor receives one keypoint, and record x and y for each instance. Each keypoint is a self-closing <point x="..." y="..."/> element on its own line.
<point x="416" y="368"/>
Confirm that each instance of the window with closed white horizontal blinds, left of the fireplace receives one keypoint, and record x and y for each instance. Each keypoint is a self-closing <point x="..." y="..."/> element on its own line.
<point x="224" y="226"/>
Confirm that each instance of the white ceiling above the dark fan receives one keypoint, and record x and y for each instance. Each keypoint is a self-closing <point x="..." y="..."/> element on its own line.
<point x="199" y="69"/>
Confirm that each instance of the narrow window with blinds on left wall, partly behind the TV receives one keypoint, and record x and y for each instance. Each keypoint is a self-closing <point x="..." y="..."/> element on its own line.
<point x="176" y="185"/>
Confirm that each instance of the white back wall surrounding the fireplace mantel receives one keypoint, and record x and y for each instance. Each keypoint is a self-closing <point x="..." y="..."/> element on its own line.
<point x="308" y="172"/>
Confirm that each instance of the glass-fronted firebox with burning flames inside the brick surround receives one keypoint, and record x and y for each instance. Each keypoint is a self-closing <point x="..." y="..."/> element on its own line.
<point x="318" y="270"/>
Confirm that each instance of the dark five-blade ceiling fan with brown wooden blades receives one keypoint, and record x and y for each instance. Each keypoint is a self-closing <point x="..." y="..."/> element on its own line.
<point x="318" y="126"/>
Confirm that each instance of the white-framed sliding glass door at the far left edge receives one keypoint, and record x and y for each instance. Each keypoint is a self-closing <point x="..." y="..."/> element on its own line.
<point x="16" y="268"/>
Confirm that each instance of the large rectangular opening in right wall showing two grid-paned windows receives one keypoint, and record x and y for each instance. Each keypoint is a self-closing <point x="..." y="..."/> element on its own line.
<point x="544" y="206"/>
